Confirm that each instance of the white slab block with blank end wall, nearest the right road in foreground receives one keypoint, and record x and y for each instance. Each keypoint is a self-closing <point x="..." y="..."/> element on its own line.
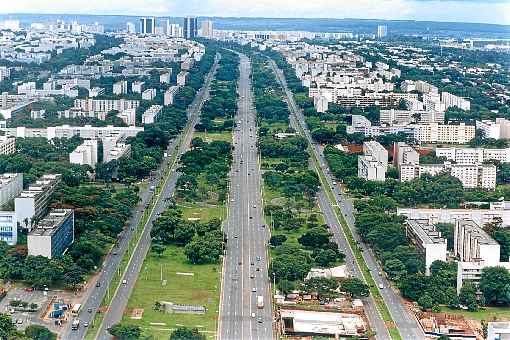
<point x="428" y="240"/>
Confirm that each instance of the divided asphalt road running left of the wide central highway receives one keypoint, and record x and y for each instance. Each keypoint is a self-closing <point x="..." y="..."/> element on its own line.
<point x="119" y="302"/>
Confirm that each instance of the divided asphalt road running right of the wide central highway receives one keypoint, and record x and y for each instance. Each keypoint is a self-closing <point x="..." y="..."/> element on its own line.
<point x="405" y="322"/>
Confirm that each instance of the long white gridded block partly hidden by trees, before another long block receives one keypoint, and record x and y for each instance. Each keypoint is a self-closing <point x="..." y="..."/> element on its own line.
<point x="471" y="176"/>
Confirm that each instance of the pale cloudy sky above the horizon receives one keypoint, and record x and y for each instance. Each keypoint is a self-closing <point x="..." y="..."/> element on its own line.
<point x="481" y="11"/>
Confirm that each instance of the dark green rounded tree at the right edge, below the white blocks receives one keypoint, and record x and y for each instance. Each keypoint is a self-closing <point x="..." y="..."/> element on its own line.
<point x="495" y="285"/>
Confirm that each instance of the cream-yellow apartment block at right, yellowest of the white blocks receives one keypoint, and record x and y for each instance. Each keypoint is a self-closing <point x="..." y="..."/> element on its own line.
<point x="442" y="133"/>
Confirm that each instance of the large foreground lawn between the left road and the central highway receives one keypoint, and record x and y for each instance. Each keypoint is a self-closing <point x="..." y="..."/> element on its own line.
<point x="203" y="288"/>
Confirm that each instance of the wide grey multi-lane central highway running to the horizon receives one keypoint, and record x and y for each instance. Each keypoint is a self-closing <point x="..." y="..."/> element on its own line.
<point x="245" y="274"/>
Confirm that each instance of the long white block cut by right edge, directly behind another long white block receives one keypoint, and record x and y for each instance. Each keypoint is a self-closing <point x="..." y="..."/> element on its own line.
<point x="474" y="155"/>
